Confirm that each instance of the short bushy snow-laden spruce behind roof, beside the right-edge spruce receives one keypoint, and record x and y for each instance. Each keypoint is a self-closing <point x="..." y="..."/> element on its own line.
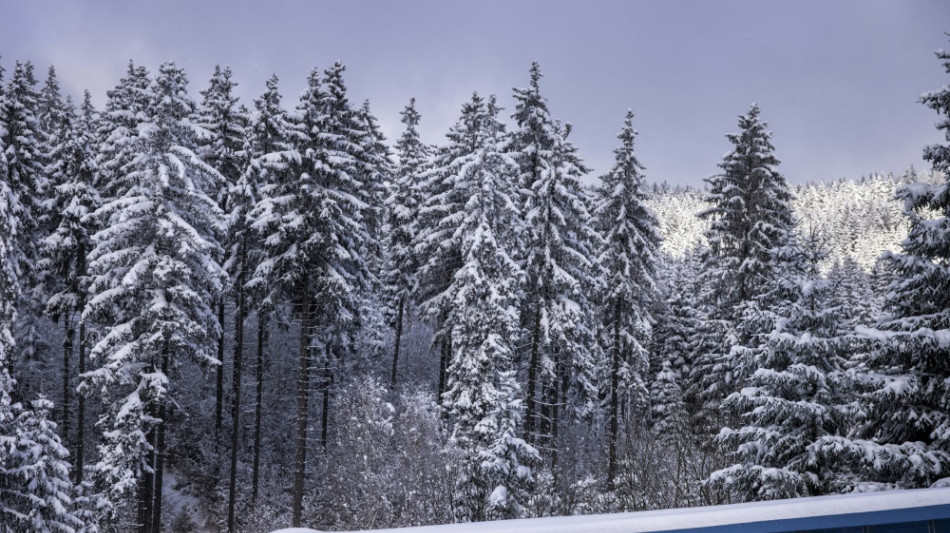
<point x="796" y="396"/>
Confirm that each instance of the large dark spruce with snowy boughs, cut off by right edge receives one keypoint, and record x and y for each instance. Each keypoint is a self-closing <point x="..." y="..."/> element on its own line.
<point x="903" y="439"/>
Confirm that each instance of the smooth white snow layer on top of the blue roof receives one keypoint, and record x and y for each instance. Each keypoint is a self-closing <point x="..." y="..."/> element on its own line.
<point x="698" y="517"/>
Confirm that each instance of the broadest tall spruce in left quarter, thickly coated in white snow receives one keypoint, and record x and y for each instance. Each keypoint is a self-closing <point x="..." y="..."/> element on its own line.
<point x="154" y="273"/>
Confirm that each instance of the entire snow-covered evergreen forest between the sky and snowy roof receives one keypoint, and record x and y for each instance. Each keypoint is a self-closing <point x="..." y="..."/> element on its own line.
<point x="218" y="315"/>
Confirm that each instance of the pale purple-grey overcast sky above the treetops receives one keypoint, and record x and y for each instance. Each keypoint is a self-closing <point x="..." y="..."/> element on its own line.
<point x="838" y="81"/>
